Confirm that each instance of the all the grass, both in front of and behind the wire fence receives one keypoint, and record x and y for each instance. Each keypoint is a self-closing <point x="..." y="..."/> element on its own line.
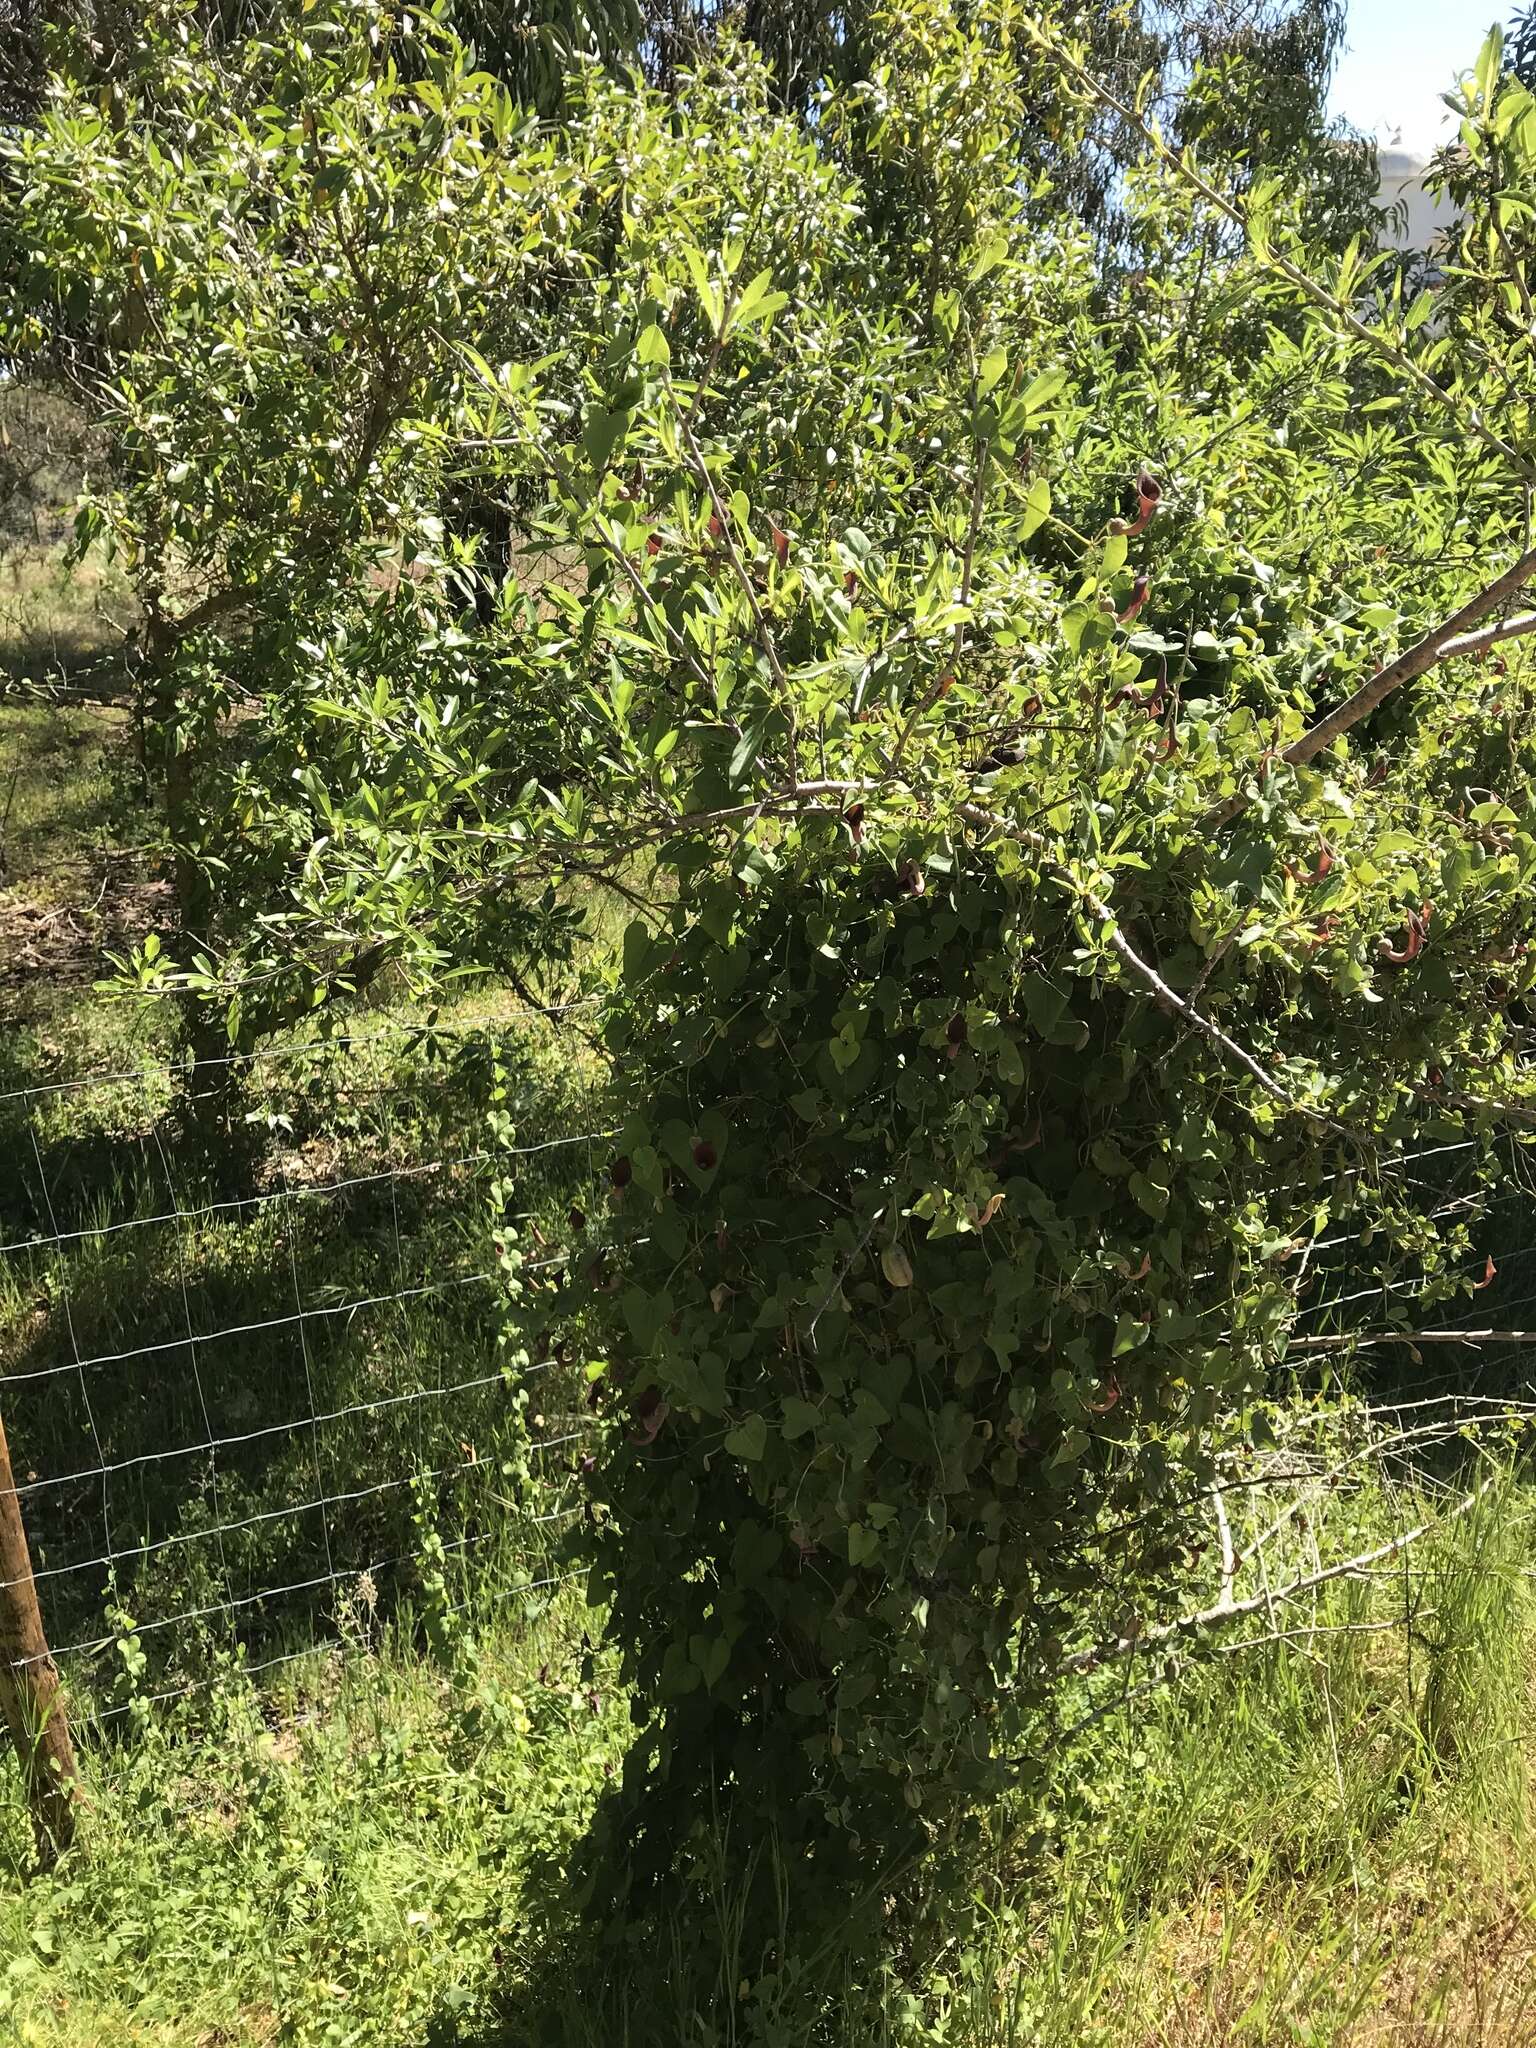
<point x="1322" y="1840"/>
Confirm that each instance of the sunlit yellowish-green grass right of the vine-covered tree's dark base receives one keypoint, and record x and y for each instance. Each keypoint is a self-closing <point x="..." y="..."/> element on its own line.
<point x="1324" y="1840"/>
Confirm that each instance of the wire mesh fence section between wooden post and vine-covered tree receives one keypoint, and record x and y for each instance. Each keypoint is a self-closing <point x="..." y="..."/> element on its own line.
<point x="241" y="1414"/>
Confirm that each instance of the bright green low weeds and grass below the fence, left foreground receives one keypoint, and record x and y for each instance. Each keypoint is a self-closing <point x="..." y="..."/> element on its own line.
<point x="331" y="1861"/>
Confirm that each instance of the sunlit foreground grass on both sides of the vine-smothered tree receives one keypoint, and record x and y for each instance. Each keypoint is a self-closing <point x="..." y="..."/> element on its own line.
<point x="1322" y="1842"/>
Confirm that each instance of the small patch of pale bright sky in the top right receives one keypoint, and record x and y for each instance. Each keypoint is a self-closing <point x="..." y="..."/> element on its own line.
<point x="1400" y="58"/>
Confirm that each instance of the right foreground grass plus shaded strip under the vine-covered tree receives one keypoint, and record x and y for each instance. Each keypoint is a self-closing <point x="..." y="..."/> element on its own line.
<point x="1312" y="1840"/>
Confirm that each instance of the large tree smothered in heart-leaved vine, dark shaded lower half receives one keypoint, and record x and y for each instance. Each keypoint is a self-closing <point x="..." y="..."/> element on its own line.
<point x="1095" y="853"/>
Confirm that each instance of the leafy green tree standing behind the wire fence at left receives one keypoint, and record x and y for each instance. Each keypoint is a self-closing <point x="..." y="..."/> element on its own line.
<point x="253" y="280"/>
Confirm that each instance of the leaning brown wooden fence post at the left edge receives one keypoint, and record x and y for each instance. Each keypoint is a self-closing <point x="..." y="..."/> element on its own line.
<point x="30" y="1684"/>
